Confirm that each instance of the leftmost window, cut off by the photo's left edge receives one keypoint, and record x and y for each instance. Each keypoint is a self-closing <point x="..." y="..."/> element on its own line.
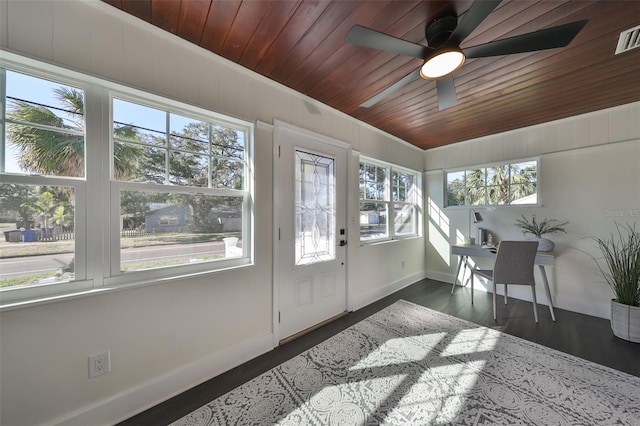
<point x="43" y="169"/>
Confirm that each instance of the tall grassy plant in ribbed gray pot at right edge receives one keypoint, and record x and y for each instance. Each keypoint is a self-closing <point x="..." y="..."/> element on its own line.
<point x="621" y="255"/>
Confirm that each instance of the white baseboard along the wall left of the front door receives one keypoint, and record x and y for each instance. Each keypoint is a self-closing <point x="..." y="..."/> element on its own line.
<point x="133" y="401"/>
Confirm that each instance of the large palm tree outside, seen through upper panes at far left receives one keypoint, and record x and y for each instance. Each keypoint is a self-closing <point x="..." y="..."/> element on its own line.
<point x="53" y="145"/>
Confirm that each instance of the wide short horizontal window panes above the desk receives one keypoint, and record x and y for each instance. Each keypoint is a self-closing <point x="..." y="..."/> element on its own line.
<point x="501" y="184"/>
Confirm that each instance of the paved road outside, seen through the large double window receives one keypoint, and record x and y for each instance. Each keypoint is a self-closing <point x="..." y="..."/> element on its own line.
<point x="53" y="262"/>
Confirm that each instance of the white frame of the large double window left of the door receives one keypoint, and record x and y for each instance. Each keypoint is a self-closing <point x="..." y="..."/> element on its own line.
<point x="97" y="192"/>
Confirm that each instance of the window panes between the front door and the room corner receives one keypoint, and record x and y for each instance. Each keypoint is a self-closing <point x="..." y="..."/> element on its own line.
<point x="389" y="201"/>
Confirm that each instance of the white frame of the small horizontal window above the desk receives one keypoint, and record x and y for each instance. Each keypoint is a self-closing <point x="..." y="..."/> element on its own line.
<point x="446" y="172"/>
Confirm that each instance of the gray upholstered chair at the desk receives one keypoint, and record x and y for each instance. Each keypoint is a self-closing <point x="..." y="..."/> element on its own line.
<point x="513" y="266"/>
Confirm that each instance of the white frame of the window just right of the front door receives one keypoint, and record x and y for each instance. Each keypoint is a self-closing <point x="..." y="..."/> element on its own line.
<point x="389" y="201"/>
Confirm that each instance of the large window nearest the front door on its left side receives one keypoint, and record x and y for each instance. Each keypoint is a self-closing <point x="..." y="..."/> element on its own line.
<point x="181" y="181"/>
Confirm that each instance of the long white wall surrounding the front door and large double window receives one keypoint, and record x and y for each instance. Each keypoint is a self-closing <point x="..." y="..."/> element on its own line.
<point x="166" y="338"/>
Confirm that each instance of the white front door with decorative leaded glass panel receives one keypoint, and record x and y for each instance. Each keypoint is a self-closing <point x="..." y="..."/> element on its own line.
<point x="311" y="209"/>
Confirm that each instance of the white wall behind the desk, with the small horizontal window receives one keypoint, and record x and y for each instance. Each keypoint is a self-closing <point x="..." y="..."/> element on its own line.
<point x="590" y="176"/>
